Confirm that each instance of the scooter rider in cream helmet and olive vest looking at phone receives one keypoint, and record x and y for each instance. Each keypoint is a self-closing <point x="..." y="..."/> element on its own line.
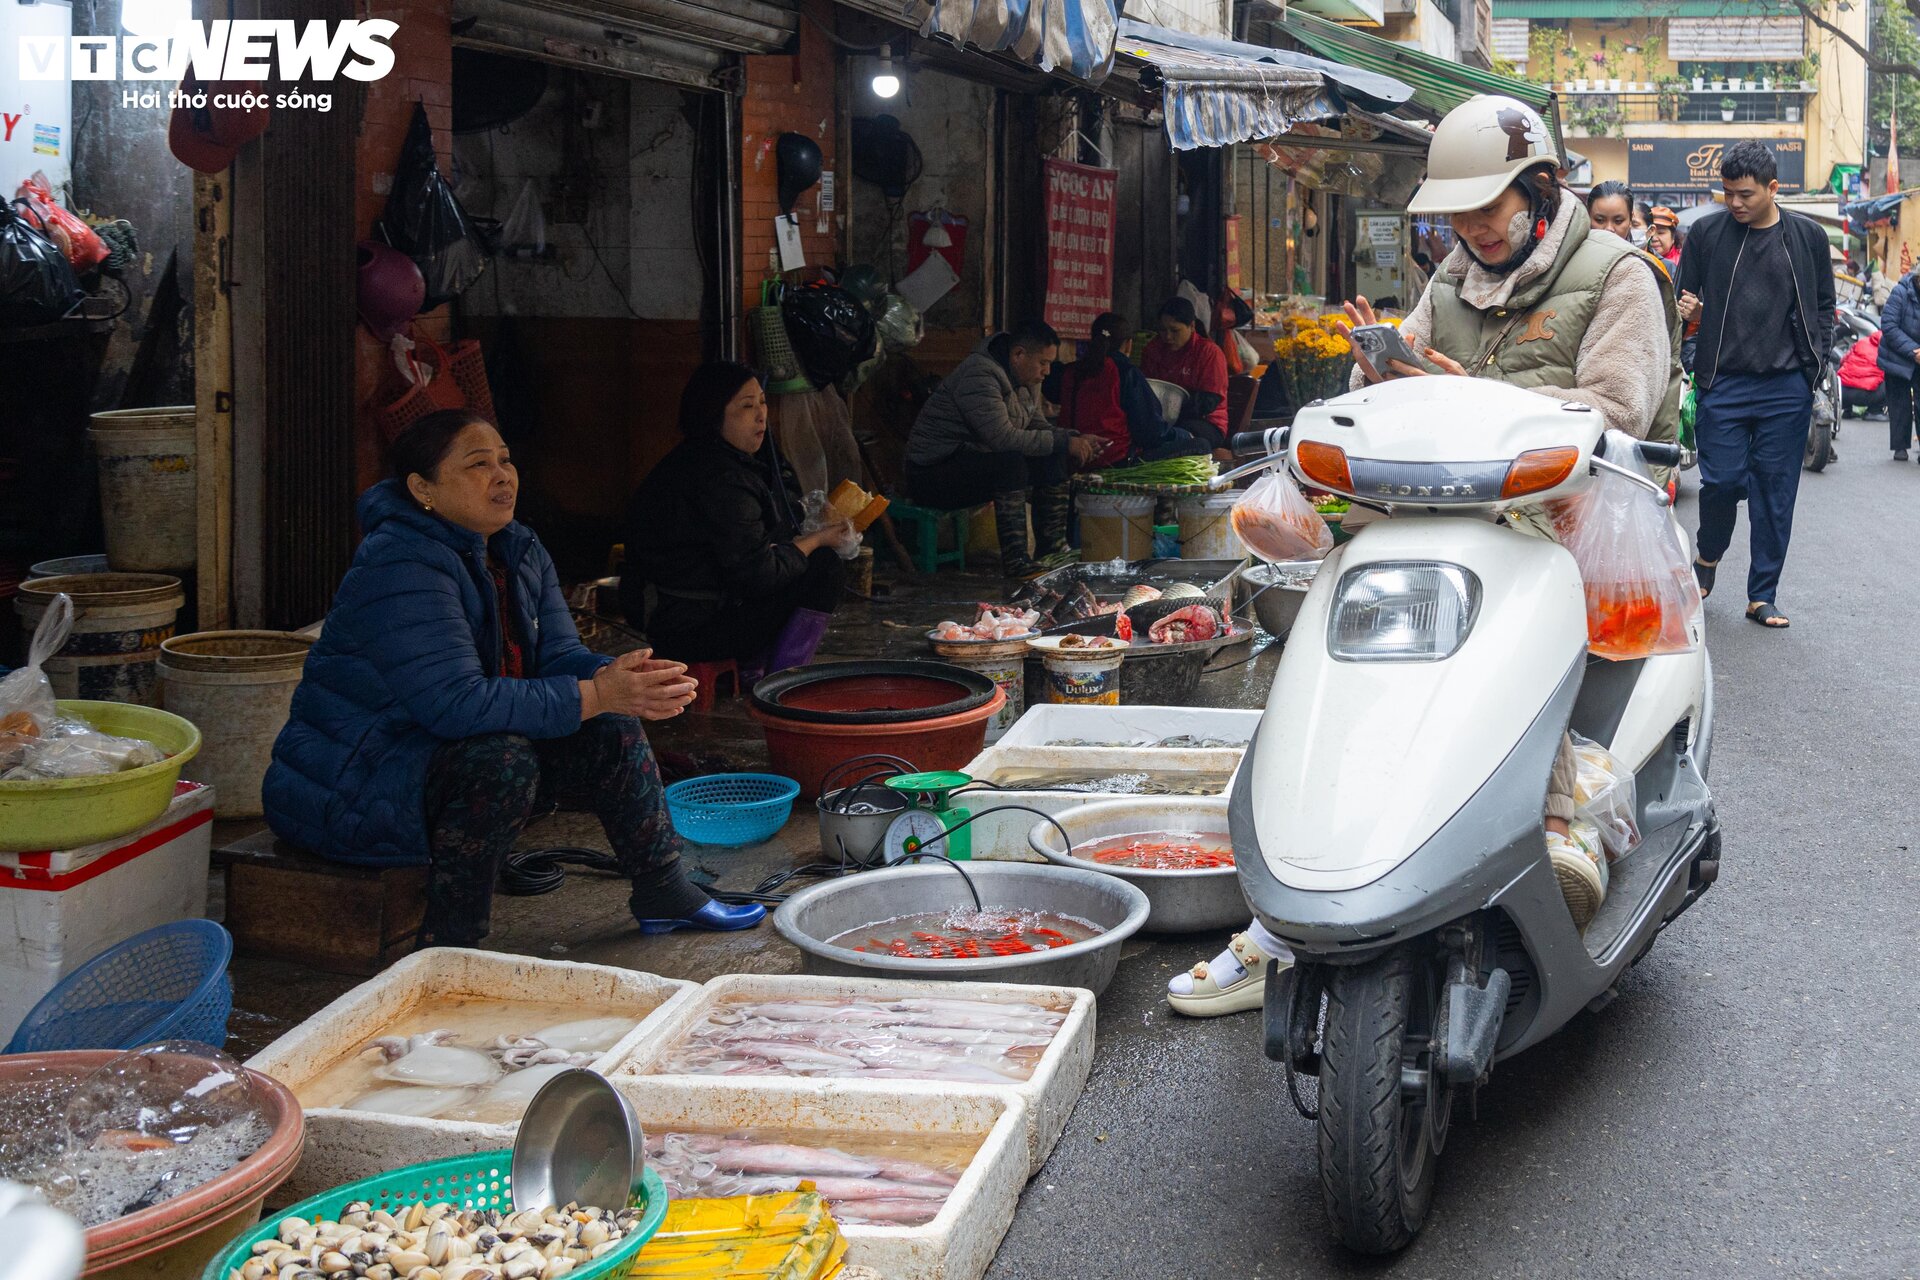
<point x="1533" y="296"/>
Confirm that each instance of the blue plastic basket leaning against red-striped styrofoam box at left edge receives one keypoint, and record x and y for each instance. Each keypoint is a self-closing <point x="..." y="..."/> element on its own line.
<point x="168" y="984"/>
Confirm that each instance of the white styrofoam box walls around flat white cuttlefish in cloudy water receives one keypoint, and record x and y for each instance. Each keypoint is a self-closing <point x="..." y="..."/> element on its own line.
<point x="356" y="1145"/>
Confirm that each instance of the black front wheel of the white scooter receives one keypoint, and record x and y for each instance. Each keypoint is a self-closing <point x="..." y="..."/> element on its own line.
<point x="1383" y="1108"/>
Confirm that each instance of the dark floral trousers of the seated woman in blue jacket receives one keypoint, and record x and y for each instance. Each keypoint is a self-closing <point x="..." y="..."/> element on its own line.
<point x="481" y="794"/>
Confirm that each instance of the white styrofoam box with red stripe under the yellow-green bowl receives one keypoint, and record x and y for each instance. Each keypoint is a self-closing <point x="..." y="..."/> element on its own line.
<point x="60" y="909"/>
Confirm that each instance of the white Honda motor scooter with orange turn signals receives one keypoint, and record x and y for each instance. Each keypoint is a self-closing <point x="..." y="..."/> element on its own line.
<point x="1389" y="817"/>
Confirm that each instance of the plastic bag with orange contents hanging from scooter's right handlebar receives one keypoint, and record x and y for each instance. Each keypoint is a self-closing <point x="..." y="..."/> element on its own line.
<point x="1641" y="592"/>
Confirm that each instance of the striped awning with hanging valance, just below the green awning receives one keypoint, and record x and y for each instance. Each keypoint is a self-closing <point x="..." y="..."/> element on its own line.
<point x="1218" y="93"/>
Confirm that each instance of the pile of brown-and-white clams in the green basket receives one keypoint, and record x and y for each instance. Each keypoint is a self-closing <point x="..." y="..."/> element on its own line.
<point x="439" y="1243"/>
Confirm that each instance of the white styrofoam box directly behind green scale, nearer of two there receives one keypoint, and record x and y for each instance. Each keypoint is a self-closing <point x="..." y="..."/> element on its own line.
<point x="1003" y="836"/>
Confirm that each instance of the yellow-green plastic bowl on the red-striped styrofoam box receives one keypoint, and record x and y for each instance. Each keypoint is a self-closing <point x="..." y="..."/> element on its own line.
<point x="66" y="813"/>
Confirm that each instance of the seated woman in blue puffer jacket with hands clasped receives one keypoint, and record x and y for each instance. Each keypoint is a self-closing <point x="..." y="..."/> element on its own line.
<point x="450" y="690"/>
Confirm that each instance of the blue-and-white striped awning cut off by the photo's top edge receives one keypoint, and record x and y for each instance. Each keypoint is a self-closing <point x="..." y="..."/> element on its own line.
<point x="1074" y="37"/>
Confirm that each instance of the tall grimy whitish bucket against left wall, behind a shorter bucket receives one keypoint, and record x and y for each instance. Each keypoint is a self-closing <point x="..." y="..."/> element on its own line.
<point x="147" y="488"/>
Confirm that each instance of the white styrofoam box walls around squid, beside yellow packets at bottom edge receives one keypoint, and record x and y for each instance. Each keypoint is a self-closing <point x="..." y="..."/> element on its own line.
<point x="963" y="1237"/>
